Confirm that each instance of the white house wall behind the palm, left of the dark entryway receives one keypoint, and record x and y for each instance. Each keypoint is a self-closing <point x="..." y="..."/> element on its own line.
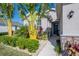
<point x="44" y="21"/>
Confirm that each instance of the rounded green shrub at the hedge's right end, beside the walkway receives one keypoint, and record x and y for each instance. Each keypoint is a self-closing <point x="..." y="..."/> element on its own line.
<point x="32" y="45"/>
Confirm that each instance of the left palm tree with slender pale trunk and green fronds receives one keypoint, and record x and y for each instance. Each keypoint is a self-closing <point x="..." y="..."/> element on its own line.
<point x="7" y="10"/>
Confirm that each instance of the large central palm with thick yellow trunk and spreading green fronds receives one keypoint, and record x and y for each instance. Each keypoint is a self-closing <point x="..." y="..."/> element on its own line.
<point x="33" y="16"/>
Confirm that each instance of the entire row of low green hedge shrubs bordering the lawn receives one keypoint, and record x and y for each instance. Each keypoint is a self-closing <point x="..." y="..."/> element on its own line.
<point x="22" y="43"/>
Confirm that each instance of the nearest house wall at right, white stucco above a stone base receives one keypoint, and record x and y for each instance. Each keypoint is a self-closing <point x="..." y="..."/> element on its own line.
<point x="69" y="29"/>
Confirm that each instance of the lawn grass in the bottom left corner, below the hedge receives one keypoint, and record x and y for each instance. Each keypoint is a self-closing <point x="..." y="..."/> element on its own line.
<point x="6" y="51"/>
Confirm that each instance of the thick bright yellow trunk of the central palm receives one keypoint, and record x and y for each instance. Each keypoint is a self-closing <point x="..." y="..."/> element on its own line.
<point x="32" y="29"/>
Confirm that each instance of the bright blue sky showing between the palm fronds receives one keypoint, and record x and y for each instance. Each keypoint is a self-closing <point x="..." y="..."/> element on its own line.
<point x="17" y="18"/>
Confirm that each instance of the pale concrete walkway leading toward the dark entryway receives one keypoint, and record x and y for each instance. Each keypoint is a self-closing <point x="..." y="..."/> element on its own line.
<point x="48" y="49"/>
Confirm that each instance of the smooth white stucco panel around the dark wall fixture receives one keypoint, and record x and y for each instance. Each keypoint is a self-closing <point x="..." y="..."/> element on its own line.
<point x="70" y="26"/>
